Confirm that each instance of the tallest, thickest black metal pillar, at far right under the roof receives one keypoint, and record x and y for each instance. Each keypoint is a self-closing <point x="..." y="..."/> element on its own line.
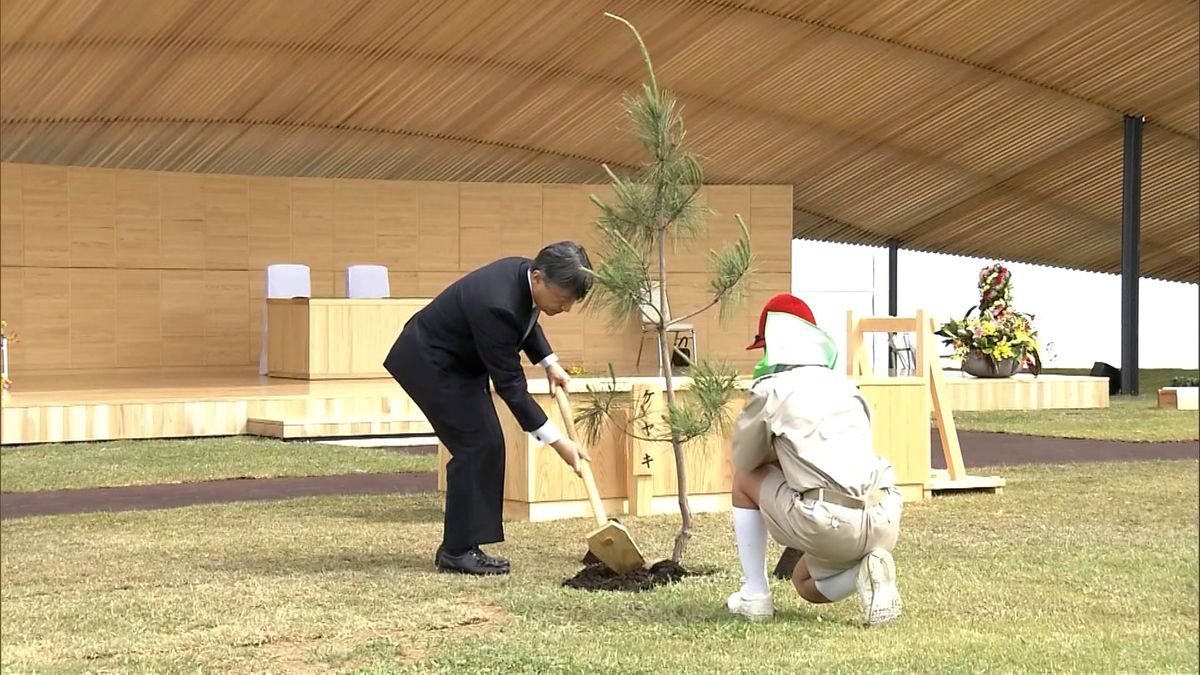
<point x="1131" y="236"/>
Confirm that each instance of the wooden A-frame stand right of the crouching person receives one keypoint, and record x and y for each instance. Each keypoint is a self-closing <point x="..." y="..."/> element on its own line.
<point x="929" y="369"/>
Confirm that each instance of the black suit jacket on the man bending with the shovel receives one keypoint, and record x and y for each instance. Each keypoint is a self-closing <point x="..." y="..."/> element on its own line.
<point x="475" y="328"/>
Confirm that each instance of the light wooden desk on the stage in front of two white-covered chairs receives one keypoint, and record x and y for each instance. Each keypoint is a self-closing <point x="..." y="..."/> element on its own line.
<point x="334" y="338"/>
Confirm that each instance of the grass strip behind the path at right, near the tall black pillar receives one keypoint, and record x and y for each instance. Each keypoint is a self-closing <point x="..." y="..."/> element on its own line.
<point x="1127" y="419"/>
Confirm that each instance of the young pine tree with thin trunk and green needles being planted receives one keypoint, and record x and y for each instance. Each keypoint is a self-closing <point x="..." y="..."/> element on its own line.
<point x="657" y="208"/>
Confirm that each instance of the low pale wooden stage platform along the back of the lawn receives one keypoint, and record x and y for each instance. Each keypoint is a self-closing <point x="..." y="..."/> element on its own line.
<point x="205" y="402"/>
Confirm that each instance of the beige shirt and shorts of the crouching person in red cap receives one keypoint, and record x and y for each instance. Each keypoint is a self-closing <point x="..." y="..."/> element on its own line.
<point x="818" y="425"/>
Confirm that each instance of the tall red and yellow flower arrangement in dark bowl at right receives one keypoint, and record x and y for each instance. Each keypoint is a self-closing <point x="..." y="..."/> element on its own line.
<point x="998" y="333"/>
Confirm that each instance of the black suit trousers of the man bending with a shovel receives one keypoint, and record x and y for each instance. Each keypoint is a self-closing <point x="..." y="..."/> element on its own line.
<point x="460" y="409"/>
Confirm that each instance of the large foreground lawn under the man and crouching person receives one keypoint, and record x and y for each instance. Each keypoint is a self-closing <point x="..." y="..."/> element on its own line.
<point x="1083" y="569"/>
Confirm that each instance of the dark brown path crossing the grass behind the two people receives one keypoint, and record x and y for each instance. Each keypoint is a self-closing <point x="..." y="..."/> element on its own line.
<point x="979" y="450"/>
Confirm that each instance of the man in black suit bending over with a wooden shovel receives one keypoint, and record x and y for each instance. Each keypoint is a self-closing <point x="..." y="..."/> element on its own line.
<point x="471" y="333"/>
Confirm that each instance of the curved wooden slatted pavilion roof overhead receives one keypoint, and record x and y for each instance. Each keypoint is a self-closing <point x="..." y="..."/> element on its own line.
<point x="965" y="127"/>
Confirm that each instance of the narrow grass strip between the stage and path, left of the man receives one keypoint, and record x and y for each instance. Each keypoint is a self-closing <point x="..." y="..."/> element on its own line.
<point x="146" y="463"/>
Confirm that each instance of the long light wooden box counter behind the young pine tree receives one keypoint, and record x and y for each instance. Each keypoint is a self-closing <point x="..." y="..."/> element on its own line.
<point x="639" y="479"/>
